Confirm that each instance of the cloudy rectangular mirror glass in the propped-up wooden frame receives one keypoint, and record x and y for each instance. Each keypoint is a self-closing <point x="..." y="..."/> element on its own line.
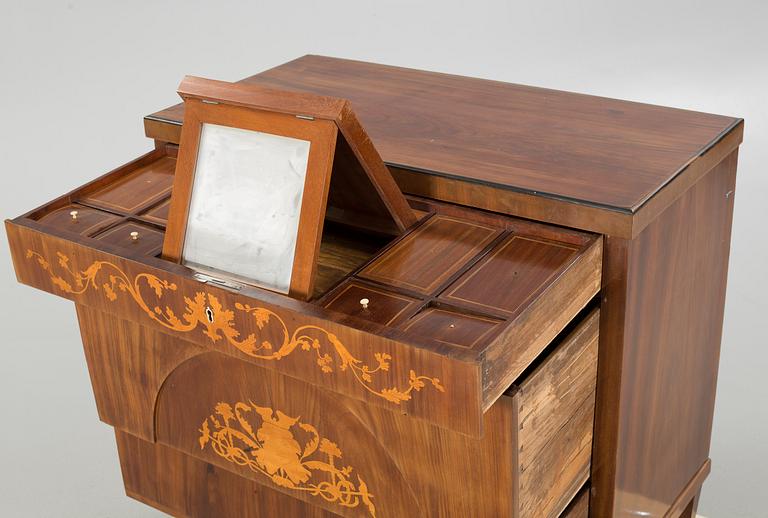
<point x="245" y="205"/>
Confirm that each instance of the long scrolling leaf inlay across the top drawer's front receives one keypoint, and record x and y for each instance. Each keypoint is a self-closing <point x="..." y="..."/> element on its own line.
<point x="205" y="309"/>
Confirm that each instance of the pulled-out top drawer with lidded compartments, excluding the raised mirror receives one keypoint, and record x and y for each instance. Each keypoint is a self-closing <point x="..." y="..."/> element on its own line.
<point x="476" y="297"/>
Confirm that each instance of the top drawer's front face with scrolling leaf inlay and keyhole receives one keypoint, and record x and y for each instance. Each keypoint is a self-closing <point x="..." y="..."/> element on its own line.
<point x="432" y="380"/>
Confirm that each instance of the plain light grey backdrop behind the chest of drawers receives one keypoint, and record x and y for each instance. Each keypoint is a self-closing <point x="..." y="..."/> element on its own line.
<point x="76" y="78"/>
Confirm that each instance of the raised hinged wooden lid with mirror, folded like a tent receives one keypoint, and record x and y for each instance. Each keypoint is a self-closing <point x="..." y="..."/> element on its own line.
<point x="258" y="173"/>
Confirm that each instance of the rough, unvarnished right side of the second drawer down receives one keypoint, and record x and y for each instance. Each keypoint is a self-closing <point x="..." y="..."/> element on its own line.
<point x="556" y="417"/>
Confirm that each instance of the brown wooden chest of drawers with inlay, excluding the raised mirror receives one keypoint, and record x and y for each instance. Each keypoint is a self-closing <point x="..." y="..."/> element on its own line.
<point x="542" y="340"/>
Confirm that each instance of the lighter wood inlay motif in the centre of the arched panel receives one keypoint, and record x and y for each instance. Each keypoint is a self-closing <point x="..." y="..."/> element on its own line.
<point x="291" y="453"/>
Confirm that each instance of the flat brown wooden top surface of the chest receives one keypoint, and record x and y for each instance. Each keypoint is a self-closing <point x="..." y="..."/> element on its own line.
<point x="570" y="146"/>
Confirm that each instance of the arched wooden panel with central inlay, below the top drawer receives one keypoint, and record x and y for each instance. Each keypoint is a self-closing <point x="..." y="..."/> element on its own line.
<point x="282" y="433"/>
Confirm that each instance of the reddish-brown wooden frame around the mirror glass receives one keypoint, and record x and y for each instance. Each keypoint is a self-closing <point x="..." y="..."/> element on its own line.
<point x="203" y="109"/>
